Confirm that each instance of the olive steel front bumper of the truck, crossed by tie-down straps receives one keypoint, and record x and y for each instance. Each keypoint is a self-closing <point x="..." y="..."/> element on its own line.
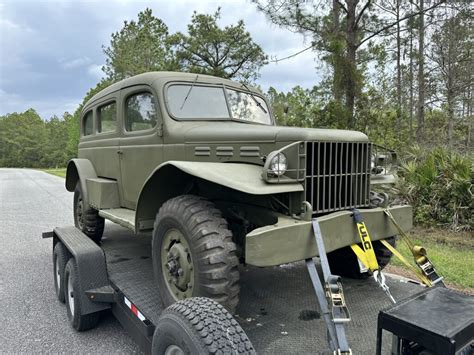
<point x="292" y="240"/>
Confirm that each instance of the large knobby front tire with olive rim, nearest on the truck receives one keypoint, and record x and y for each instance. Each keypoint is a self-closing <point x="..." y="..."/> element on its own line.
<point x="193" y="253"/>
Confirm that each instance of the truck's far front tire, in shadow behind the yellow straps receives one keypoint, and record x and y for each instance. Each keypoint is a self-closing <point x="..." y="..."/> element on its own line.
<point x="343" y="262"/>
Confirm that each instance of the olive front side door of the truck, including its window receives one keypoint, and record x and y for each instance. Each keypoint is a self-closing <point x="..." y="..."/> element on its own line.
<point x="141" y="142"/>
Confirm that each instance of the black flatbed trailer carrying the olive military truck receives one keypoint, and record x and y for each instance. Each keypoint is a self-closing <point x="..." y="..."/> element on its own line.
<point x="277" y="310"/>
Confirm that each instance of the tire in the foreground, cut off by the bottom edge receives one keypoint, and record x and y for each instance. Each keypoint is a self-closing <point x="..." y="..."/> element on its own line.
<point x="199" y="325"/>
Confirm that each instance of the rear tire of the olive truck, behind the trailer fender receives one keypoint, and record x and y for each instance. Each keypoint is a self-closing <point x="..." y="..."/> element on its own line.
<point x="86" y="218"/>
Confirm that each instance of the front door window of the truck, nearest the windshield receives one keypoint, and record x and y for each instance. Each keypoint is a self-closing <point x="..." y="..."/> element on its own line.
<point x="140" y="112"/>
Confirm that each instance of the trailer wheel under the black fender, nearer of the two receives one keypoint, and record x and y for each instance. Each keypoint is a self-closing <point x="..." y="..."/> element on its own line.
<point x="78" y="321"/>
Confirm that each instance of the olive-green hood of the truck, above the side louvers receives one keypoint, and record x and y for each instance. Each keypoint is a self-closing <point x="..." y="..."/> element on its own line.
<point x="227" y="132"/>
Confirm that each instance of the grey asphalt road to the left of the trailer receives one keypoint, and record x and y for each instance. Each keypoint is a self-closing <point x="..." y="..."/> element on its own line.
<point x="31" y="319"/>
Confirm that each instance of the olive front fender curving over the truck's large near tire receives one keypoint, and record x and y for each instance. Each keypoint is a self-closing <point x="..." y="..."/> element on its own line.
<point x="176" y="175"/>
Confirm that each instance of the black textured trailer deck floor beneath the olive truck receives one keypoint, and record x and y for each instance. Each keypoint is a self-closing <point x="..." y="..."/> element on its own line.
<point x="278" y="308"/>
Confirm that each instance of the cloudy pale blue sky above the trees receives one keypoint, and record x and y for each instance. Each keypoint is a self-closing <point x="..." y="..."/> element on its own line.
<point x="51" y="51"/>
